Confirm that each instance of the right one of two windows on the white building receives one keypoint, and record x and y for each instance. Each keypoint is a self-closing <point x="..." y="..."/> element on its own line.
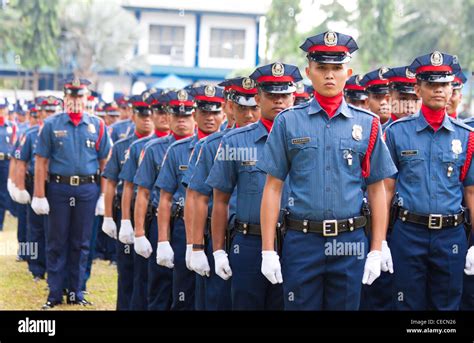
<point x="227" y="43"/>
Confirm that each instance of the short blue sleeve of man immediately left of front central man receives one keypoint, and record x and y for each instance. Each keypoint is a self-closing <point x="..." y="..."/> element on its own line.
<point x="223" y="174"/>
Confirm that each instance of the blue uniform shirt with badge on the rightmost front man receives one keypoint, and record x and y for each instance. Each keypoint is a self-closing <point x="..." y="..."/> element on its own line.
<point x="429" y="164"/>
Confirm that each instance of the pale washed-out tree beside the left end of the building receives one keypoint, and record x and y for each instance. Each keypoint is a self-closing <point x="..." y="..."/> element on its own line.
<point x="98" y="35"/>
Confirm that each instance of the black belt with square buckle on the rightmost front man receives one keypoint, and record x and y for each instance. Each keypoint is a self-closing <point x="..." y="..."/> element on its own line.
<point x="432" y="221"/>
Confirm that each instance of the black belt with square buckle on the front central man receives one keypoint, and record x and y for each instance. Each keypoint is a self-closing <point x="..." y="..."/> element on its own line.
<point x="328" y="228"/>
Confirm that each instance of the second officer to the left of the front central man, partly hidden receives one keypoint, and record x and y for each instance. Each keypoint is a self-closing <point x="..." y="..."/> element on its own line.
<point x="242" y="106"/>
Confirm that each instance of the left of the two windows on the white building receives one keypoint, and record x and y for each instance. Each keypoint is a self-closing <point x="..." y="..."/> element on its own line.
<point x="166" y="40"/>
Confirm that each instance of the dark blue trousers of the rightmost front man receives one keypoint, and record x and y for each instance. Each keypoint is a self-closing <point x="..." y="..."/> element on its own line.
<point x="429" y="267"/>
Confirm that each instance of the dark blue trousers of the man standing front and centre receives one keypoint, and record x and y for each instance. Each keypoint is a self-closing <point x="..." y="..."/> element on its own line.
<point x="318" y="275"/>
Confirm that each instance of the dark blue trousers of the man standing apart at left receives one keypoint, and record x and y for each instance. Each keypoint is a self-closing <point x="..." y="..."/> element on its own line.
<point x="70" y="227"/>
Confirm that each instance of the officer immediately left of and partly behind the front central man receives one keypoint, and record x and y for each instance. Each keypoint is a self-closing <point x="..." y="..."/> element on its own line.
<point x="249" y="288"/>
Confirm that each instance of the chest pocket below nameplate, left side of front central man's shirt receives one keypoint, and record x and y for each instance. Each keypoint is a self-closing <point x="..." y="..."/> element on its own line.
<point x="304" y="153"/>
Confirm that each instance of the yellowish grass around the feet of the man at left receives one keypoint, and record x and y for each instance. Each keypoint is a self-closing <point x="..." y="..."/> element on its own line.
<point x="18" y="291"/>
